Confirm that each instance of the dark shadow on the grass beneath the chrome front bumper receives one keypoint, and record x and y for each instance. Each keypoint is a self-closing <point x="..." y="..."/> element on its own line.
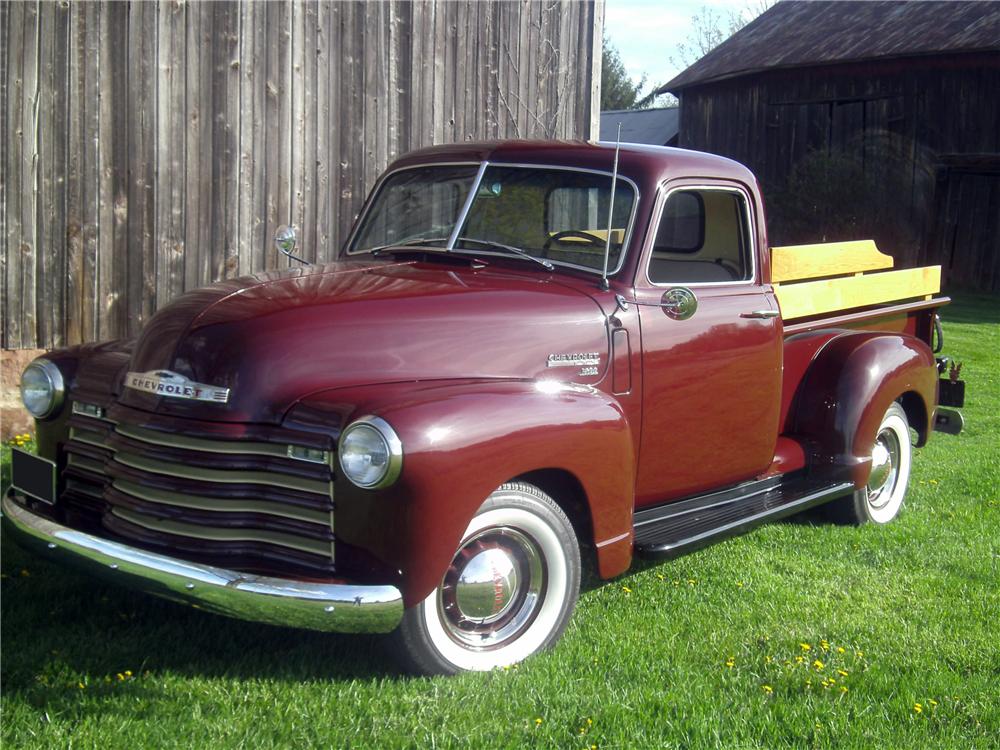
<point x="61" y="629"/>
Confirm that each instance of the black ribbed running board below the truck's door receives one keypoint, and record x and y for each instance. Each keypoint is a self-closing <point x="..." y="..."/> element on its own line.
<point x="682" y="526"/>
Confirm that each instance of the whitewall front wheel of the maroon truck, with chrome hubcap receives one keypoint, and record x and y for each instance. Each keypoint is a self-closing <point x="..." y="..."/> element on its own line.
<point x="508" y="593"/>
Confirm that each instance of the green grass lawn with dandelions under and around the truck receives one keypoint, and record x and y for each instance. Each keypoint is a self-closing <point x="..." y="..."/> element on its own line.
<point x="733" y="646"/>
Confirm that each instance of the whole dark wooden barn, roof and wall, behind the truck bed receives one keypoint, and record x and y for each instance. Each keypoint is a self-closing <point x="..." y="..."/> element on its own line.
<point x="864" y="119"/>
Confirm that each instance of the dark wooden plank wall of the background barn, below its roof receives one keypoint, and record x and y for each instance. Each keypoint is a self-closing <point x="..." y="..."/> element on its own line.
<point x="915" y="127"/>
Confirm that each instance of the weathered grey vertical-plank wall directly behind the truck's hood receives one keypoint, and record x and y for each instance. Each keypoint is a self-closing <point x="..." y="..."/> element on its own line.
<point x="148" y="148"/>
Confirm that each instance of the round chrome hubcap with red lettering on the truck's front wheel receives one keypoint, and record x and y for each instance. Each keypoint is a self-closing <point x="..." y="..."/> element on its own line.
<point x="493" y="588"/>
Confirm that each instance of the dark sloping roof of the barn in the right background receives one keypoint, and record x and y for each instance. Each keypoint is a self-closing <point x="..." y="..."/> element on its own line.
<point x="796" y="32"/>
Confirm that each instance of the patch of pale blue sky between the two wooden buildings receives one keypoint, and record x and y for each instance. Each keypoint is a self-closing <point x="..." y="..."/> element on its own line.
<point x="647" y="32"/>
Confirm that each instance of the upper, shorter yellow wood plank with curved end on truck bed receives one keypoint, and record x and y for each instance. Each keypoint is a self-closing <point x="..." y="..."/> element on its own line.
<point x="796" y="262"/>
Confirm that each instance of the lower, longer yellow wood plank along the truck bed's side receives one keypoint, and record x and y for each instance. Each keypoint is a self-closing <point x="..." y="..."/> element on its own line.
<point x="830" y="295"/>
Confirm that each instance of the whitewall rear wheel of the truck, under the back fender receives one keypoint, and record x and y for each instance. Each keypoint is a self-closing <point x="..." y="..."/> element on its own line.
<point x="880" y="500"/>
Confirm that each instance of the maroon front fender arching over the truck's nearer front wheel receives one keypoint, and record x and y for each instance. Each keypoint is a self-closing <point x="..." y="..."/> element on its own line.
<point x="461" y="442"/>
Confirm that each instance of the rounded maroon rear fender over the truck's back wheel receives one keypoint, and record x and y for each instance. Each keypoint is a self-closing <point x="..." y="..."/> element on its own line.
<point x="846" y="391"/>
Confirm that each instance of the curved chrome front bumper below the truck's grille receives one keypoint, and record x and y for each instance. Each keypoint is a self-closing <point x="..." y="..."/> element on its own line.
<point x="334" y="607"/>
